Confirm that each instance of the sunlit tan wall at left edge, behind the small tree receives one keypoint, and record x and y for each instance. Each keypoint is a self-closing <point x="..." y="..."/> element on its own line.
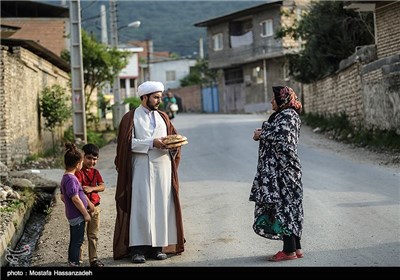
<point x="23" y="76"/>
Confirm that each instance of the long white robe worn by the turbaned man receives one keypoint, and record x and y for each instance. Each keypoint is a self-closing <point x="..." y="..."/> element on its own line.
<point x="152" y="219"/>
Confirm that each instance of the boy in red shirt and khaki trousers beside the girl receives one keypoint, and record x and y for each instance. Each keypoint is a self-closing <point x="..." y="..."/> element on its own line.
<point x="92" y="184"/>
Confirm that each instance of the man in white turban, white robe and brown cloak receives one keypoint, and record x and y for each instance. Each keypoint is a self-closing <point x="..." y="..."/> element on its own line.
<point x="147" y="194"/>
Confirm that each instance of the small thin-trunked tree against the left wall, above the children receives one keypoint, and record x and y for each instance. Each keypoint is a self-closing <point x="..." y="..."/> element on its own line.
<point x="55" y="108"/>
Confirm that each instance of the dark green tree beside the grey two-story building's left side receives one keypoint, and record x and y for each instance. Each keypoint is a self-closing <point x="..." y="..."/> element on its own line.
<point x="200" y="74"/>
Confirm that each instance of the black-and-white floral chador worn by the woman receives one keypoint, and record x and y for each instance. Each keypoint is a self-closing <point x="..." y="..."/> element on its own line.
<point x="277" y="188"/>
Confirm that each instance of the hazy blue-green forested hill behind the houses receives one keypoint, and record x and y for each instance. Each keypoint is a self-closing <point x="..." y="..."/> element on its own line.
<point x="170" y="24"/>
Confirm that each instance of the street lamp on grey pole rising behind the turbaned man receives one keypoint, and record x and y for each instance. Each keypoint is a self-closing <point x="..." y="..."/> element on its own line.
<point x="119" y="109"/>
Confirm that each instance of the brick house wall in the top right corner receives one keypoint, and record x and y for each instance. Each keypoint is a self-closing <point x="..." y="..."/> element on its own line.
<point x="388" y="29"/>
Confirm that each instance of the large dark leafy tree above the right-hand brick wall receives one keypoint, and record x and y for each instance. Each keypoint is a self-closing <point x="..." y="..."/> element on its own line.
<point x="330" y="33"/>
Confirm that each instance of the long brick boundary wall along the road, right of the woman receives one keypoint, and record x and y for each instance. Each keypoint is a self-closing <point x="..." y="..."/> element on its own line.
<point x="368" y="94"/>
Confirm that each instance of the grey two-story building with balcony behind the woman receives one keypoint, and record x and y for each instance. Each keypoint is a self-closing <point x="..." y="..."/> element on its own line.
<point x="243" y="48"/>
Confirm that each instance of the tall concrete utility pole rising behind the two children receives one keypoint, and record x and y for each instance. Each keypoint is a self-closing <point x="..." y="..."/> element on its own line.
<point x="78" y="96"/>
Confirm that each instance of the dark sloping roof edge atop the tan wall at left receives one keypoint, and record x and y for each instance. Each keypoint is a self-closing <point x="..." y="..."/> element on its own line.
<point x="38" y="50"/>
